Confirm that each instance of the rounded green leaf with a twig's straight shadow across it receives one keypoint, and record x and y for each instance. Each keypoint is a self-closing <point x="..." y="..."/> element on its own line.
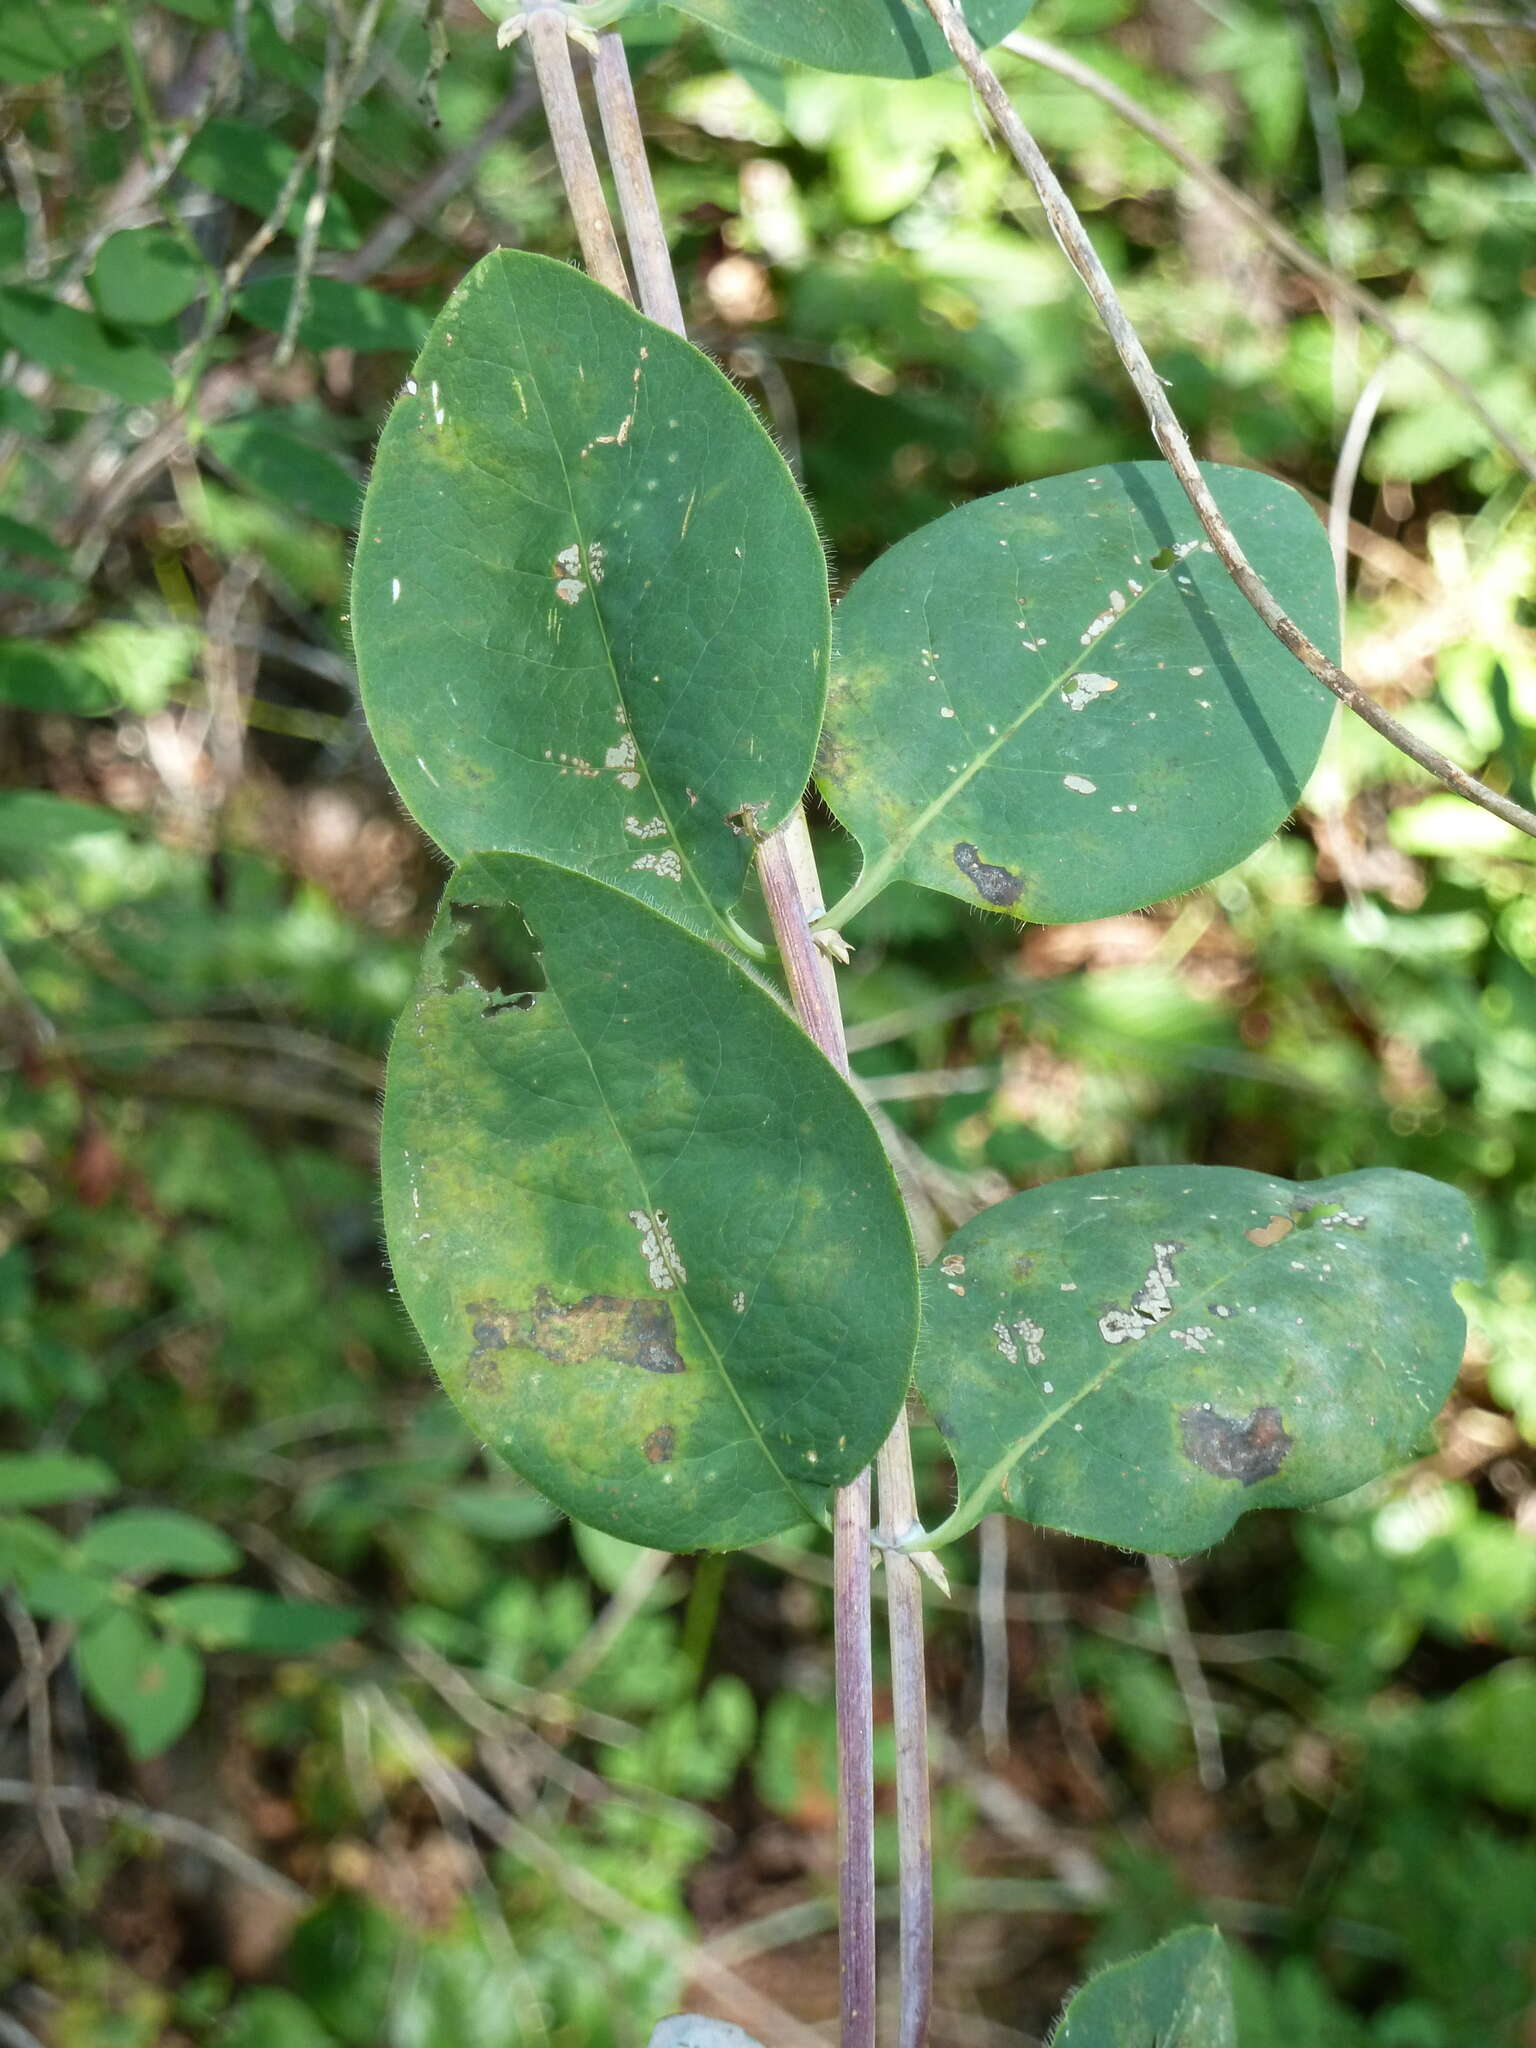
<point x="1058" y="703"/>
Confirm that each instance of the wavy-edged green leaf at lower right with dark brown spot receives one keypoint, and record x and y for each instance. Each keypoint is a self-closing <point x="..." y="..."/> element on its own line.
<point x="1142" y="1357"/>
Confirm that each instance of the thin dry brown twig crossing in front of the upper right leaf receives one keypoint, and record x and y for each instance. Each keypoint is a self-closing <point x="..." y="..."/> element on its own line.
<point x="1172" y="439"/>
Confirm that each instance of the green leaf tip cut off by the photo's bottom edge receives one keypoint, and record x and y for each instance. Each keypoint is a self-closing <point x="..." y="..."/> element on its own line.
<point x="1175" y="1998"/>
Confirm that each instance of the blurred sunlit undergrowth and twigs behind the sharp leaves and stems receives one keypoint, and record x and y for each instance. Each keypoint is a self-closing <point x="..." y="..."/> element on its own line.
<point x="321" y="1732"/>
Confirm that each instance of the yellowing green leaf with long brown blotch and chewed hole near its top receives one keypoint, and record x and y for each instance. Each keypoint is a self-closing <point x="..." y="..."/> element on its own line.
<point x="648" y="1234"/>
